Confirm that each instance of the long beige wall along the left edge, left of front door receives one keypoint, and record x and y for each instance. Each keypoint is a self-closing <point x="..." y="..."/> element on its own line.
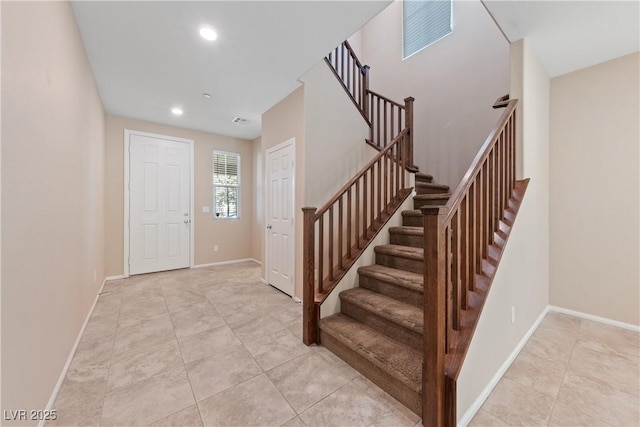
<point x="53" y="194"/>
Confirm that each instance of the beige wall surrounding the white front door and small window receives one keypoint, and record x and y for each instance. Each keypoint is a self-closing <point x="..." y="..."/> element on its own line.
<point x="233" y="237"/>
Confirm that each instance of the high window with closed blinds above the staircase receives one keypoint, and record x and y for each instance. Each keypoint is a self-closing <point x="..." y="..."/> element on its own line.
<point x="424" y="22"/>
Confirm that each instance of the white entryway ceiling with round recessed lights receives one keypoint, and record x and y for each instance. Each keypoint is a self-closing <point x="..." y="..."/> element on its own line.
<point x="148" y="57"/>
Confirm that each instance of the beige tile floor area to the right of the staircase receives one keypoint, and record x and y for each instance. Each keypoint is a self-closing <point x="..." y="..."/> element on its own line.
<point x="572" y="372"/>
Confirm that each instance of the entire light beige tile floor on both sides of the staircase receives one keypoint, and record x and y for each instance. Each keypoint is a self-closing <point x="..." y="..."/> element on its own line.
<point x="215" y="346"/>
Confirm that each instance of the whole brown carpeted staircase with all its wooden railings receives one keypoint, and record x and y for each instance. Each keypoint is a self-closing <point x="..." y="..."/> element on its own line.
<point x="408" y="325"/>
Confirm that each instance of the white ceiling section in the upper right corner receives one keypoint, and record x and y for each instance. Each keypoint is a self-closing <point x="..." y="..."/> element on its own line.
<point x="570" y="35"/>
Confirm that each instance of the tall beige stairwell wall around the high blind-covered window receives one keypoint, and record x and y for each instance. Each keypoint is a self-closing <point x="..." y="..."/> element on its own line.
<point x="454" y="81"/>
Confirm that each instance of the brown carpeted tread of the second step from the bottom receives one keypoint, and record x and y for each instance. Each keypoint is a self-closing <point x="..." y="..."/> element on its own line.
<point x="406" y="315"/>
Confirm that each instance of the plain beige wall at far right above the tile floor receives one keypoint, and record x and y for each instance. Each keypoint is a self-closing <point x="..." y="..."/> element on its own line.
<point x="595" y="180"/>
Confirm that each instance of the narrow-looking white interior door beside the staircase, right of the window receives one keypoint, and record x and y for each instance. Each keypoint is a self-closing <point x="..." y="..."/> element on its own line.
<point x="280" y="215"/>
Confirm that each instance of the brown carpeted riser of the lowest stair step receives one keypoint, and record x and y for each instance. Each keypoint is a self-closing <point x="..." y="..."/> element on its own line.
<point x="382" y="379"/>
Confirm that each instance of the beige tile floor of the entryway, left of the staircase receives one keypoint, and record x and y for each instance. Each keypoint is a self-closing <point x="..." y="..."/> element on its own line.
<point x="211" y="346"/>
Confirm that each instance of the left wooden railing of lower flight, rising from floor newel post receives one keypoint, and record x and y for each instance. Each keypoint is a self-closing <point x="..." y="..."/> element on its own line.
<point x="337" y="234"/>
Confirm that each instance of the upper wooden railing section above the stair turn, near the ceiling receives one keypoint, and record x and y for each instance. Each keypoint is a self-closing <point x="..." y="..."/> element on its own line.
<point x="385" y="117"/>
